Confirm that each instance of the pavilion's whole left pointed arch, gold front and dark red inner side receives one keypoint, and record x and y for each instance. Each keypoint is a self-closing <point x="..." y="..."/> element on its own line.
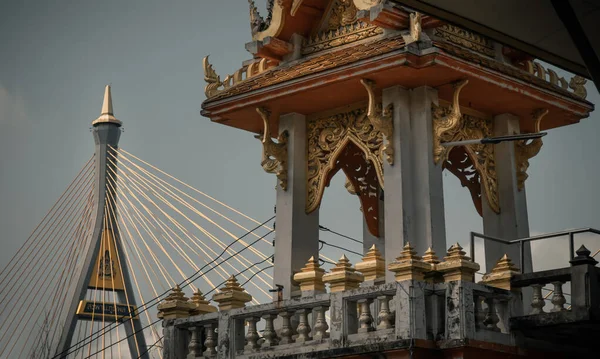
<point x="346" y="141"/>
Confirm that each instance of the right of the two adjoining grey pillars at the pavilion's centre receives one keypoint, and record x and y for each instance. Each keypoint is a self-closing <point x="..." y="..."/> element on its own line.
<point x="428" y="188"/>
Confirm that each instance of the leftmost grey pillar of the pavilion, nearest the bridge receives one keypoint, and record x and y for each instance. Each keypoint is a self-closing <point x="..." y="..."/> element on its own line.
<point x="297" y="234"/>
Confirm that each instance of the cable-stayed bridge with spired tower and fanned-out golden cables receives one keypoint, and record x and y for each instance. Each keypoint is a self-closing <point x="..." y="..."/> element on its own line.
<point x="122" y="235"/>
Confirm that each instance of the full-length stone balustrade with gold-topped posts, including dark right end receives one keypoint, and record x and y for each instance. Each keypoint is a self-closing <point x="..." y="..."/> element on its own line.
<point x="339" y="313"/>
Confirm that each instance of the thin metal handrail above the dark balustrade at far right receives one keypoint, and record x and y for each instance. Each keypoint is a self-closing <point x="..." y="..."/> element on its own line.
<point x="521" y="241"/>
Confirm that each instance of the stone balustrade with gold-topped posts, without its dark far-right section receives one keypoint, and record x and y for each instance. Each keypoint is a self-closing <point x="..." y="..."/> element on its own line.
<point x="430" y="301"/>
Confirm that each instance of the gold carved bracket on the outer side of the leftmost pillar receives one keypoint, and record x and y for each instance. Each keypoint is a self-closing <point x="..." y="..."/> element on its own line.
<point x="274" y="154"/>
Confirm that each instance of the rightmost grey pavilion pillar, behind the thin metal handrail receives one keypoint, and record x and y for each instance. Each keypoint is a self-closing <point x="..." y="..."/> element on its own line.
<point x="512" y="221"/>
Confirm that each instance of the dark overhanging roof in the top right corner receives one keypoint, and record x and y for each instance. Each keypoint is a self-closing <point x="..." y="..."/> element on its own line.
<point x="565" y="33"/>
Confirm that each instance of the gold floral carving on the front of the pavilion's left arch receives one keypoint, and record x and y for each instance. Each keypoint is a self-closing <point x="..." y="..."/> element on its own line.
<point x="328" y="138"/>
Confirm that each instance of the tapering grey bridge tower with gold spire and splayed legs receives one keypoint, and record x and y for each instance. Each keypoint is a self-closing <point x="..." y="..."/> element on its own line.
<point x="104" y="268"/>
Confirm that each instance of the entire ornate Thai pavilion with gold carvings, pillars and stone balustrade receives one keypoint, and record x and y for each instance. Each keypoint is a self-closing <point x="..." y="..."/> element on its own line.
<point x="382" y="92"/>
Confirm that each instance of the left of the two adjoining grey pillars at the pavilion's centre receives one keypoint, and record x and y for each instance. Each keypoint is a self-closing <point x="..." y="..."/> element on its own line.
<point x="398" y="209"/>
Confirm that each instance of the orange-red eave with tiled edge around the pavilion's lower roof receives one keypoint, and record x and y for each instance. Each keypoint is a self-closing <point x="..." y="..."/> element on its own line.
<point x="314" y="92"/>
